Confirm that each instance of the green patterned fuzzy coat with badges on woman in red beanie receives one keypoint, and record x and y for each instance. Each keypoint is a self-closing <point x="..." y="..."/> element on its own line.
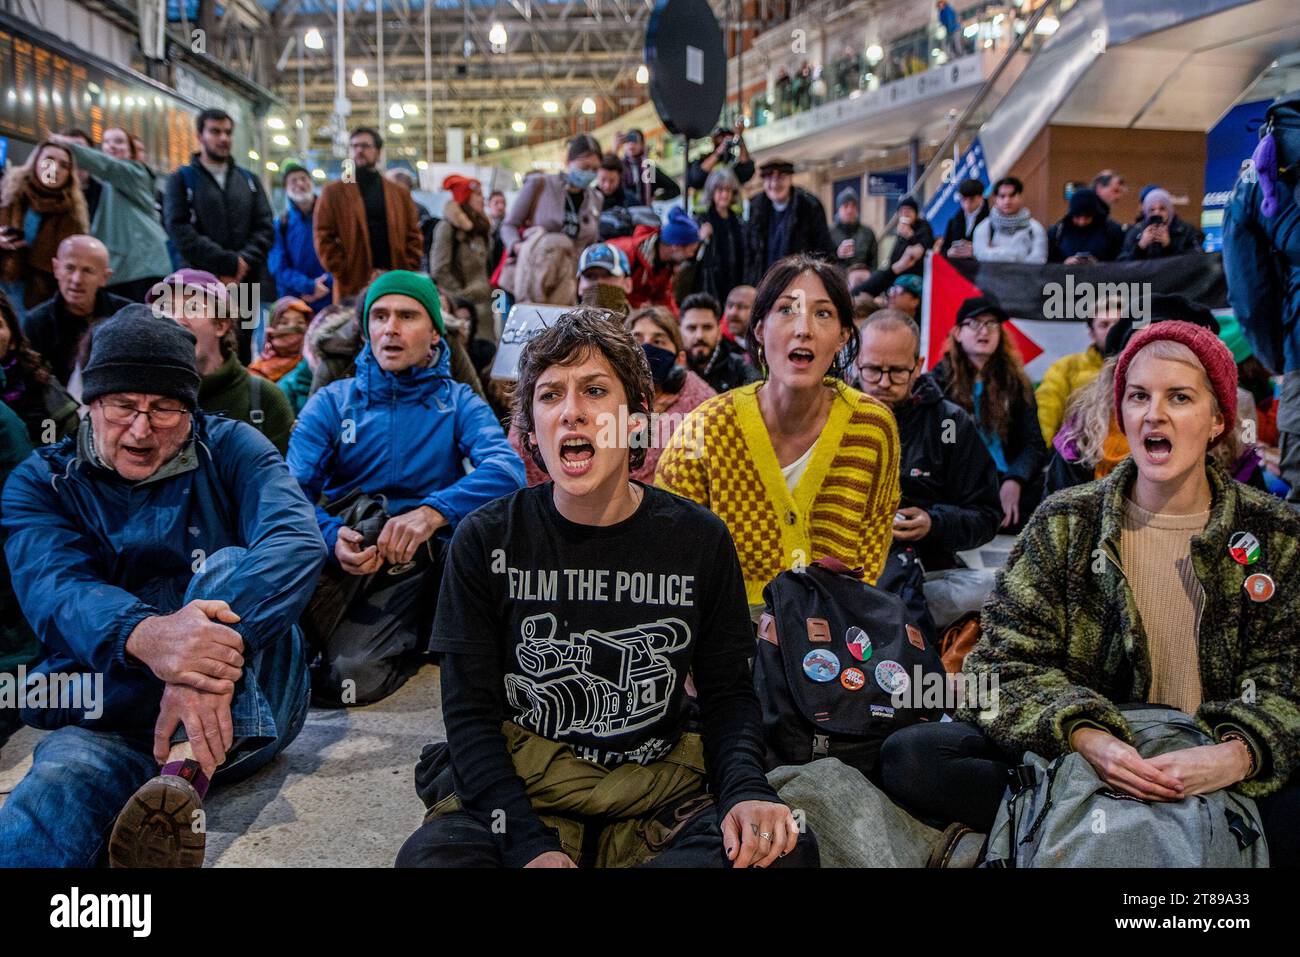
<point x="1063" y="634"/>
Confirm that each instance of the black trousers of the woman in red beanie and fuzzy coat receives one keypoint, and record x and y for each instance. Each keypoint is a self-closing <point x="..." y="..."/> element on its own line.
<point x="951" y="772"/>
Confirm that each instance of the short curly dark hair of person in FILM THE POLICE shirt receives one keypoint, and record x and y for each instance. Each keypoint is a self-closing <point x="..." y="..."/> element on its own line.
<point x="574" y="336"/>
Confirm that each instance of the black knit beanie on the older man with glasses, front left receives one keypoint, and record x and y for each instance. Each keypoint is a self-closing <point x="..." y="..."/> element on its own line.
<point x="137" y="352"/>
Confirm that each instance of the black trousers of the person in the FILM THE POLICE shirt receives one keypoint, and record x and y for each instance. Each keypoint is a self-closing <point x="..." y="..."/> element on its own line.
<point x="461" y="841"/>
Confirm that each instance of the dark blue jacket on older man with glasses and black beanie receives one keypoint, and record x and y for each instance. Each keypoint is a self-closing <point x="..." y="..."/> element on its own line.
<point x="94" y="555"/>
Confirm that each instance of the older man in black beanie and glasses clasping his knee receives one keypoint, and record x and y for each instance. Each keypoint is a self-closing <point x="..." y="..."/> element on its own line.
<point x="163" y="558"/>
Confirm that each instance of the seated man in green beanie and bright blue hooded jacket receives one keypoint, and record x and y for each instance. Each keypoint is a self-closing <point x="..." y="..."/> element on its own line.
<point x="385" y="452"/>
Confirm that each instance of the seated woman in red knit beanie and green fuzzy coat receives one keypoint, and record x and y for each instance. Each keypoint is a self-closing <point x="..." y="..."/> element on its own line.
<point x="1162" y="618"/>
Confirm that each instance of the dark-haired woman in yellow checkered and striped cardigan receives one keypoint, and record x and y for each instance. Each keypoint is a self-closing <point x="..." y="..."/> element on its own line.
<point x="799" y="465"/>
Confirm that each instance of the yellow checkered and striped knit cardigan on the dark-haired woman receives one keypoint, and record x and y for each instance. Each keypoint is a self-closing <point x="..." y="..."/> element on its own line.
<point x="843" y="506"/>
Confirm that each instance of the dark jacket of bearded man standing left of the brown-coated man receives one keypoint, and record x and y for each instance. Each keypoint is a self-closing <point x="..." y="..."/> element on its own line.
<point x="213" y="227"/>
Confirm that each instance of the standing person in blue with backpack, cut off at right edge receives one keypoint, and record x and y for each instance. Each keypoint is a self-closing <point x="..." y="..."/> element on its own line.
<point x="1262" y="259"/>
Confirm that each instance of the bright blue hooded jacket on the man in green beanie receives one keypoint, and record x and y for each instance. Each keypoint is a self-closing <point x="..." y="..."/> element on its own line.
<point x="404" y="438"/>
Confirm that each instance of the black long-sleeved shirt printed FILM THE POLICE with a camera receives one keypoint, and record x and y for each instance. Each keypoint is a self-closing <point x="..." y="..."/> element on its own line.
<point x="586" y="635"/>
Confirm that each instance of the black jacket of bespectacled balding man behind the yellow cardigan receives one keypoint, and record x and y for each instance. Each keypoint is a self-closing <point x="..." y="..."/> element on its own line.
<point x="948" y="473"/>
